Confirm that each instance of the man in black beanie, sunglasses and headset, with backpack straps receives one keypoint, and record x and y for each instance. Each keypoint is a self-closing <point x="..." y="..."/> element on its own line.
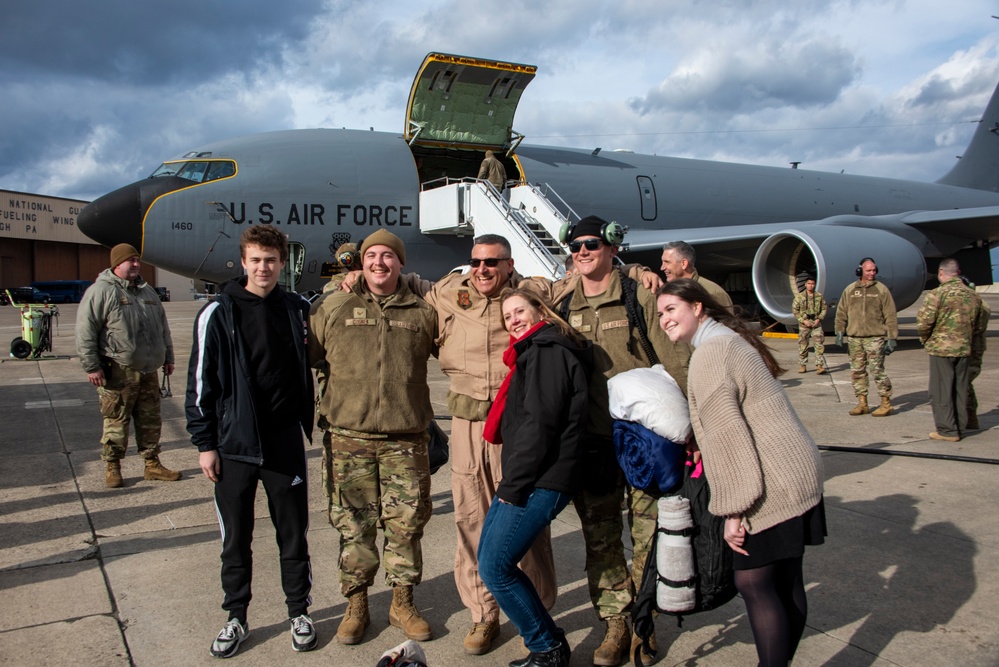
<point x="597" y="310"/>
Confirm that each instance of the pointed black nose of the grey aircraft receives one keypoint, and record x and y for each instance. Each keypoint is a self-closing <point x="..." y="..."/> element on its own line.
<point x="117" y="216"/>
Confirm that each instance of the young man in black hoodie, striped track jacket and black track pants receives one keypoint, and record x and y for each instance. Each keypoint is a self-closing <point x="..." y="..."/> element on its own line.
<point x="249" y="405"/>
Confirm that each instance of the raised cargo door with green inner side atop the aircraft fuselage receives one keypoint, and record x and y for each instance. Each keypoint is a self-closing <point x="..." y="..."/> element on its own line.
<point x="466" y="103"/>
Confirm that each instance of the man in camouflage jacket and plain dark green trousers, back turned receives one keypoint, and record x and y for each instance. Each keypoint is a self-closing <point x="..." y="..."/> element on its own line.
<point x="950" y="317"/>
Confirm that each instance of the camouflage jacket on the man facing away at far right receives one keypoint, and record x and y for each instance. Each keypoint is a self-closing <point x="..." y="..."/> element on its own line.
<point x="951" y="315"/>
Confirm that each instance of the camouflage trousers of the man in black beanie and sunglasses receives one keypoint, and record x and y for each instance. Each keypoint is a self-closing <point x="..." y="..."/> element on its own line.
<point x="610" y="585"/>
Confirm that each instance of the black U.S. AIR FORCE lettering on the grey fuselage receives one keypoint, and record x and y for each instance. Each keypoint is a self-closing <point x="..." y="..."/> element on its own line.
<point x="361" y="215"/>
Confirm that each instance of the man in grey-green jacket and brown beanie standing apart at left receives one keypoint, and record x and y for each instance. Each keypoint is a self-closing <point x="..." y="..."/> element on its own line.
<point x="123" y="339"/>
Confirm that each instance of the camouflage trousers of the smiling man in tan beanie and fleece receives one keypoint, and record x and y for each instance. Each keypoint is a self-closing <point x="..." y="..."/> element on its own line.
<point x="378" y="482"/>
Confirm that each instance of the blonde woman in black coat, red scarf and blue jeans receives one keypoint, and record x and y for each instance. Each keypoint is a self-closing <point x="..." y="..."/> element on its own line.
<point x="538" y="416"/>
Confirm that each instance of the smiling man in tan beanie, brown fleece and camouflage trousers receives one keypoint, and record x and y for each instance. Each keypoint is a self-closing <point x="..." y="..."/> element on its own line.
<point x="373" y="343"/>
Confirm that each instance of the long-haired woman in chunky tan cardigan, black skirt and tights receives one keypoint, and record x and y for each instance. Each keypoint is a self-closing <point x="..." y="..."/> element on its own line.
<point x="764" y="469"/>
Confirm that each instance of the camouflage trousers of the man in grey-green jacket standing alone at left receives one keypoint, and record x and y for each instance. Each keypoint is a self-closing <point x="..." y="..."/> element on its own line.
<point x="128" y="395"/>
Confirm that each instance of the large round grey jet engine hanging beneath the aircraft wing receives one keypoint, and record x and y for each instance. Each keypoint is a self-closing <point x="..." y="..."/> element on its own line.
<point x="832" y="254"/>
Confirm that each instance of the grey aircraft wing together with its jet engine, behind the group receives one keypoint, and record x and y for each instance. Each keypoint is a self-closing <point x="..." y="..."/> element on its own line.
<point x="777" y="254"/>
